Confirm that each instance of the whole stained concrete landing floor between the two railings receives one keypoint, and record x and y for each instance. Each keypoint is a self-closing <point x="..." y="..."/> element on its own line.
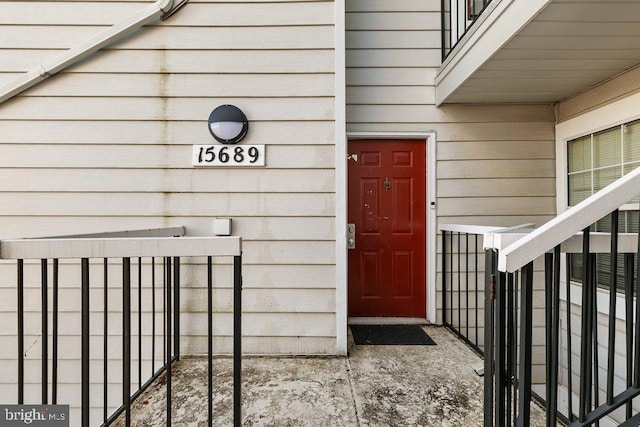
<point x="373" y="386"/>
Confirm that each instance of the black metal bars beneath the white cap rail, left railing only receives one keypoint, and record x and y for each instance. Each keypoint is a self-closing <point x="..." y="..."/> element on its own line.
<point x="148" y="326"/>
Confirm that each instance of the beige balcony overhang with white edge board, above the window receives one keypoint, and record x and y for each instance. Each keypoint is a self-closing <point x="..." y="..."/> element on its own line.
<point x="540" y="51"/>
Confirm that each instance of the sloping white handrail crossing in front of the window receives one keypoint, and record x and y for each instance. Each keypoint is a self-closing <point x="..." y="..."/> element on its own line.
<point x="565" y="225"/>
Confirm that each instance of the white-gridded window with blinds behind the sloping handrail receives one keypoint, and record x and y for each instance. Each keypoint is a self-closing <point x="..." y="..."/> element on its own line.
<point x="595" y="161"/>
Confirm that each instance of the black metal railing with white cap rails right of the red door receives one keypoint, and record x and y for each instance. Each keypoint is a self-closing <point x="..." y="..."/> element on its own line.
<point x="548" y="332"/>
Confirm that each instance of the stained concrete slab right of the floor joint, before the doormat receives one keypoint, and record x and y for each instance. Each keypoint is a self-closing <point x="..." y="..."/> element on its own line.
<point x="417" y="385"/>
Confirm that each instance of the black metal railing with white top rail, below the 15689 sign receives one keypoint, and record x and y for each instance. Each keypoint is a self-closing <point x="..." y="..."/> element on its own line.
<point x="88" y="319"/>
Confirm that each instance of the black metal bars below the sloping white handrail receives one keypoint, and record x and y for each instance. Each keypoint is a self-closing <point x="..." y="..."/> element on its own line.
<point x="582" y="382"/>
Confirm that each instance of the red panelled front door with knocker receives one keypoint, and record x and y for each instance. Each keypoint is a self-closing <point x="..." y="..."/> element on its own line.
<point x="387" y="195"/>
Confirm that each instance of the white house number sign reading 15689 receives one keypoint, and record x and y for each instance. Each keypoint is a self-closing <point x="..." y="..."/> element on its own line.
<point x="228" y="155"/>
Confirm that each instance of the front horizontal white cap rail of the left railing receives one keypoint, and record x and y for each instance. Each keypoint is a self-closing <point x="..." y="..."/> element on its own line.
<point x="120" y="247"/>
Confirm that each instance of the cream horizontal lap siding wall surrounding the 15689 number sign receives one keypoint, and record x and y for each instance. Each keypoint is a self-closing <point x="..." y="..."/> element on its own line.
<point x="107" y="144"/>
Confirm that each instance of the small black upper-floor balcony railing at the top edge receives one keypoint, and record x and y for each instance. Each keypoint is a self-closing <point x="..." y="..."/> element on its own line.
<point x="457" y="17"/>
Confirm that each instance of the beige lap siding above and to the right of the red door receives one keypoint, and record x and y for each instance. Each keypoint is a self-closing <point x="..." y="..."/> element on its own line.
<point x="495" y="163"/>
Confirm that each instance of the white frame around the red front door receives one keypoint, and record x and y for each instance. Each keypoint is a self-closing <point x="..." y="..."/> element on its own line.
<point x="431" y="215"/>
